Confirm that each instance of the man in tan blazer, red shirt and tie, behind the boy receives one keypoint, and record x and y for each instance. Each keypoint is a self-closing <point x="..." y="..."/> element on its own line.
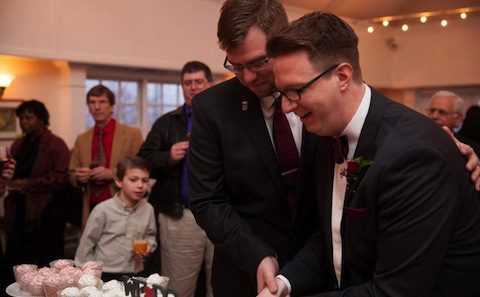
<point x="97" y="151"/>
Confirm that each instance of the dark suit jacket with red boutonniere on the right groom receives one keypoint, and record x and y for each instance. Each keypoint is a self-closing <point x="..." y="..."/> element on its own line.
<point x="410" y="228"/>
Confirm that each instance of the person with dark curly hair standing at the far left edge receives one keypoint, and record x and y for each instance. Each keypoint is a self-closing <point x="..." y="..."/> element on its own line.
<point x="34" y="216"/>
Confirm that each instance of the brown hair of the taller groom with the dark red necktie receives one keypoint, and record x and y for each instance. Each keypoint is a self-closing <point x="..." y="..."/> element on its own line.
<point x="238" y="16"/>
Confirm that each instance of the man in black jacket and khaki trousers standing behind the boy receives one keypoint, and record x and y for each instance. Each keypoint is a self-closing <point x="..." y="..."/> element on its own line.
<point x="185" y="247"/>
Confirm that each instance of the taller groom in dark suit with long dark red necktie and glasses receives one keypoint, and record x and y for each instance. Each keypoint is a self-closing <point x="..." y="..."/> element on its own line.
<point x="237" y="191"/>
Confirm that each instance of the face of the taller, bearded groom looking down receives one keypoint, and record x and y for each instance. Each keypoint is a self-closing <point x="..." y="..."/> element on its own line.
<point x="251" y="49"/>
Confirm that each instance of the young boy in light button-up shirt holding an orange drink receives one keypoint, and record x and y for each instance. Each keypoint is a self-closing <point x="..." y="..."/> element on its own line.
<point x="120" y="232"/>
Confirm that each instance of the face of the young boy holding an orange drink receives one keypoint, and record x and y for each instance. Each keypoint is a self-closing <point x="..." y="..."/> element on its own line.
<point x="134" y="184"/>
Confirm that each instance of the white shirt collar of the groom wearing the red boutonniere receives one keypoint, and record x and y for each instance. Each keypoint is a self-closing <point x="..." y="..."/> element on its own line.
<point x="354" y="127"/>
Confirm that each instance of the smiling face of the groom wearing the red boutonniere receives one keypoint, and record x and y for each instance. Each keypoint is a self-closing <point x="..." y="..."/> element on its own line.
<point x="320" y="108"/>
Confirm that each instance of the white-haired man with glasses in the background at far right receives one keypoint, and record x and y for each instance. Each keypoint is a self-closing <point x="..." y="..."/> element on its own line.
<point x="447" y="109"/>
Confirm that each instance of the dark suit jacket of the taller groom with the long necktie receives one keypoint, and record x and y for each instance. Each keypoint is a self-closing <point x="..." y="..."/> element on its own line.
<point x="235" y="188"/>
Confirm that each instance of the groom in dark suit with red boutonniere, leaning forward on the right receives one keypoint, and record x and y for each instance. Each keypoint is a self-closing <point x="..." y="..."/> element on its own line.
<point x="401" y="218"/>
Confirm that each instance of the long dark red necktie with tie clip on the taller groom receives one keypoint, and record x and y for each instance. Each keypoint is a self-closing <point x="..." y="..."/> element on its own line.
<point x="287" y="153"/>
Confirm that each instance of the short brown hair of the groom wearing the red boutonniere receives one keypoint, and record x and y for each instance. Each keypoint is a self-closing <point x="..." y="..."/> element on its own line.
<point x="326" y="38"/>
